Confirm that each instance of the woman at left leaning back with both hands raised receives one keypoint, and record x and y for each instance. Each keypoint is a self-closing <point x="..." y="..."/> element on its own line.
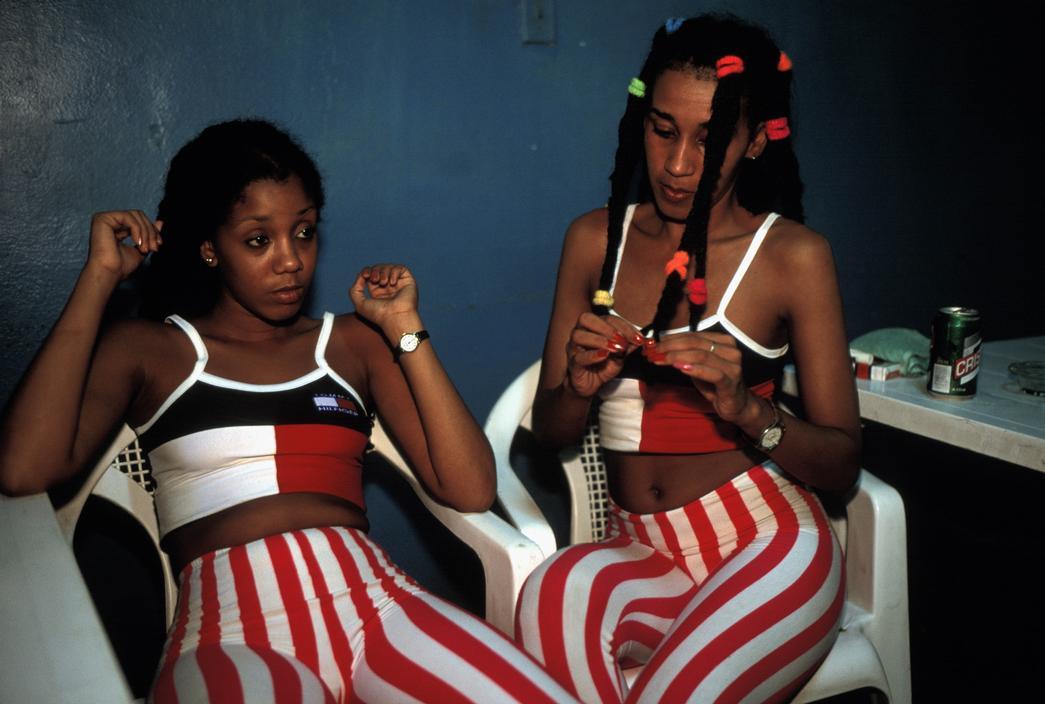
<point x="256" y="419"/>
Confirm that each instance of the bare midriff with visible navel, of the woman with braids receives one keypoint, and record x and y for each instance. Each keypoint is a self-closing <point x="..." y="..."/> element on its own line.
<point x="642" y="483"/>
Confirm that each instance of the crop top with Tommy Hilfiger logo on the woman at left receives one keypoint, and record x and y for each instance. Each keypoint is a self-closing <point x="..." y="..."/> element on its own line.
<point x="216" y="443"/>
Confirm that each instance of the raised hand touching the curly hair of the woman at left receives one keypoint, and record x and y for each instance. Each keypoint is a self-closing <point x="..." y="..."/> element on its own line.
<point x="121" y="240"/>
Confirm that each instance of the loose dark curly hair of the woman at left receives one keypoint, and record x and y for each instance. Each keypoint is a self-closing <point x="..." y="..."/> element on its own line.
<point x="206" y="179"/>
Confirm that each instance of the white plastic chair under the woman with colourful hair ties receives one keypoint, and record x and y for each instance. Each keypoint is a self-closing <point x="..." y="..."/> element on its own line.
<point x="873" y="646"/>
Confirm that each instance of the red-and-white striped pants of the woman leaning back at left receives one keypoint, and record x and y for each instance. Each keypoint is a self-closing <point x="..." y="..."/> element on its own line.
<point x="323" y="616"/>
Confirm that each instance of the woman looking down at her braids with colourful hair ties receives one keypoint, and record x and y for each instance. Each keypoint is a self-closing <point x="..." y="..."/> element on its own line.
<point x="719" y="567"/>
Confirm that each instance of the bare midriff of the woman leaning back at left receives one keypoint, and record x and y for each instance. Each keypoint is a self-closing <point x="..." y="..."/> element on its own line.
<point x="257" y="520"/>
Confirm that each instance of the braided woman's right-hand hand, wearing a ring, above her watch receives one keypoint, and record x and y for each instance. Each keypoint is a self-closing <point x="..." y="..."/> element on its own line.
<point x="712" y="362"/>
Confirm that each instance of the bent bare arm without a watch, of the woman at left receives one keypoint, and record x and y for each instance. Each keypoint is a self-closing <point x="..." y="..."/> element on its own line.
<point x="77" y="388"/>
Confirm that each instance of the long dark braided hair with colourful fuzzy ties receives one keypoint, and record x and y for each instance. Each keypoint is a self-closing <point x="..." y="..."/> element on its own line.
<point x="757" y="84"/>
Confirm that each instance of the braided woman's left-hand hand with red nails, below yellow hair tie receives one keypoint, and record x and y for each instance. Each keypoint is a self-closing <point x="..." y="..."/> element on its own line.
<point x="596" y="351"/>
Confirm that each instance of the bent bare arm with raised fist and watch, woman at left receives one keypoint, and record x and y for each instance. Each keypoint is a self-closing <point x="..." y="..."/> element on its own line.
<point x="416" y="401"/>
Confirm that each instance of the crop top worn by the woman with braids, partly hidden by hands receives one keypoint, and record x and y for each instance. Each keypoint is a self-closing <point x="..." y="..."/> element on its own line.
<point x="657" y="410"/>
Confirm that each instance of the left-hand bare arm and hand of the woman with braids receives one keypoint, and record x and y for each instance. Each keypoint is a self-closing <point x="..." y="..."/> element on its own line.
<point x="583" y="351"/>
